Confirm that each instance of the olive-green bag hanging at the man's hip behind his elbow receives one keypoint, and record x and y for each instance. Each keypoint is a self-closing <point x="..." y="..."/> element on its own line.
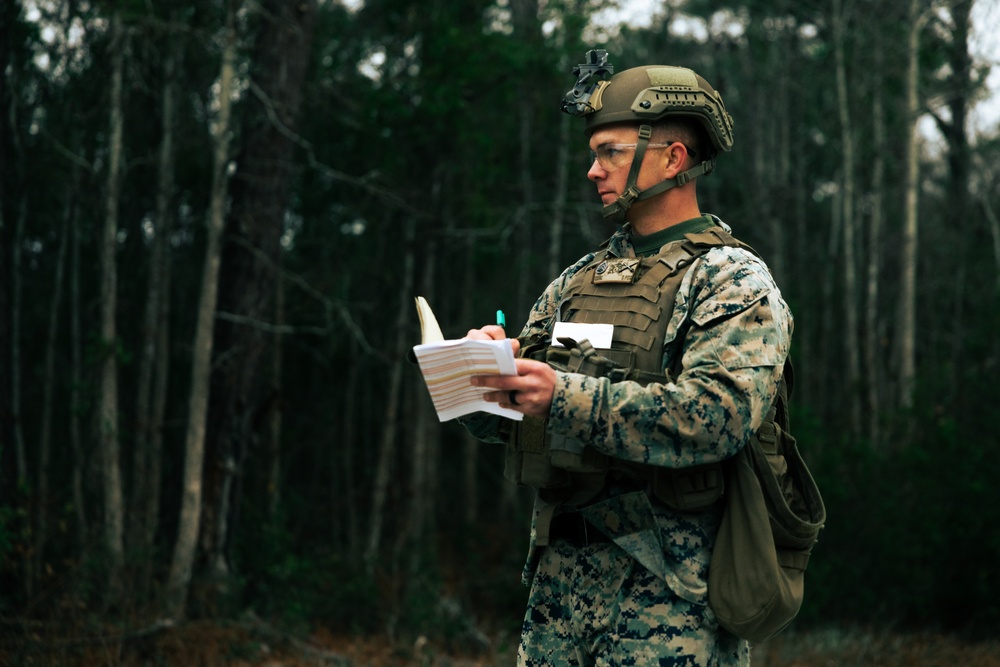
<point x="774" y="513"/>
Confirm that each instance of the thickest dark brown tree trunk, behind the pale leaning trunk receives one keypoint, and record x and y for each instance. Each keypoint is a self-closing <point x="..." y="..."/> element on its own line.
<point x="239" y="398"/>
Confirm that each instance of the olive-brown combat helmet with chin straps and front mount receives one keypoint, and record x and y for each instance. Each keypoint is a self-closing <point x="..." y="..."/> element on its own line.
<point x="645" y="95"/>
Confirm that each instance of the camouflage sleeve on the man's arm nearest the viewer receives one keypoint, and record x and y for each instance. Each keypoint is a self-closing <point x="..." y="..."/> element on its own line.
<point x="734" y="331"/>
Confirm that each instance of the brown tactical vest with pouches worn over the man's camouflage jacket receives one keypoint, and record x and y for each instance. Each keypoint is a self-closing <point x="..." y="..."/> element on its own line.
<point x="637" y="296"/>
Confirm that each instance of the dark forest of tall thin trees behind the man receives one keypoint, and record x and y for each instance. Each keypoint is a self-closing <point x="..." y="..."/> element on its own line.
<point x="215" y="214"/>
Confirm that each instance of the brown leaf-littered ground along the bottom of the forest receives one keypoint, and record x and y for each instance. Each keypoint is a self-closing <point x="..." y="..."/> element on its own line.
<point x="253" y="644"/>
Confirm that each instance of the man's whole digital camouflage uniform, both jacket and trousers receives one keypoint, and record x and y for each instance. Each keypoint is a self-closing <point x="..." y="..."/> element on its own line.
<point x="730" y="331"/>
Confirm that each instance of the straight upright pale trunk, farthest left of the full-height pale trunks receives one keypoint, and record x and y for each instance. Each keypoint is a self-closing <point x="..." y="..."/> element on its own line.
<point x="111" y="478"/>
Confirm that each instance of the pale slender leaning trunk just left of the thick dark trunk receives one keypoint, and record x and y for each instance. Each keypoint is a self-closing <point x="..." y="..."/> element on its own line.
<point x="201" y="363"/>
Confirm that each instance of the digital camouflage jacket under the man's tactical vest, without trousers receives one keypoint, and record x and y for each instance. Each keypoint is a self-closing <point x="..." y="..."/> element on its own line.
<point x="729" y="335"/>
